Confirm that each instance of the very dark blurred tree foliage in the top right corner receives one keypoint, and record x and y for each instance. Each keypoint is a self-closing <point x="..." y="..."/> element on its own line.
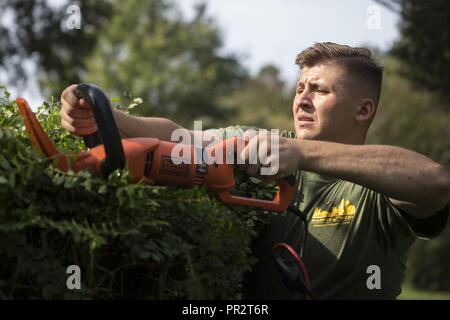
<point x="424" y="44"/>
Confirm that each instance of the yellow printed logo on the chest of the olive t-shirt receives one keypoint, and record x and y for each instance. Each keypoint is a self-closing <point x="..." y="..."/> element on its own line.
<point x="342" y="214"/>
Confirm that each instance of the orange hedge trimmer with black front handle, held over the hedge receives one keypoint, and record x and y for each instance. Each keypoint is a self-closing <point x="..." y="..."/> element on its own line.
<point x="148" y="159"/>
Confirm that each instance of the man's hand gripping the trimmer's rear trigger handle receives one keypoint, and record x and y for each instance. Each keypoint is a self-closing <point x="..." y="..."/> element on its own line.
<point x="268" y="157"/>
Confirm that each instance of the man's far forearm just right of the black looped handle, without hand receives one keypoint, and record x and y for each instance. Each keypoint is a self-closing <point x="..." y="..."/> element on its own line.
<point x="132" y="126"/>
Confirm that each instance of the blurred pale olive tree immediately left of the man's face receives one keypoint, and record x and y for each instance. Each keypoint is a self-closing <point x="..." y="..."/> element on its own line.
<point x="264" y="101"/>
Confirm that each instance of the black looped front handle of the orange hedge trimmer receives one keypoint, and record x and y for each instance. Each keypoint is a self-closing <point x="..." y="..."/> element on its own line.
<point x="107" y="133"/>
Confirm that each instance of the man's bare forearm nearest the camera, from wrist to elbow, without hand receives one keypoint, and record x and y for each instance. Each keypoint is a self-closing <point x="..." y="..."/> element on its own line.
<point x="395" y="172"/>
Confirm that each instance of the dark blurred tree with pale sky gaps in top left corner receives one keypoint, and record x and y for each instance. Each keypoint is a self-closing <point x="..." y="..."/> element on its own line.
<point x="33" y="31"/>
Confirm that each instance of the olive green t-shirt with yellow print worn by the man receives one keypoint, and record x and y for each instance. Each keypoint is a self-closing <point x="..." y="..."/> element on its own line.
<point x="354" y="232"/>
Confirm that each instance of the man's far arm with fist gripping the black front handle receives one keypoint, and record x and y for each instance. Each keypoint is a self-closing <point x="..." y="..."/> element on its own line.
<point x="77" y="118"/>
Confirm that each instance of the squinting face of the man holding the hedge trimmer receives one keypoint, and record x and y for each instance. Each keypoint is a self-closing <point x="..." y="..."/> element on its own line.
<point x="322" y="107"/>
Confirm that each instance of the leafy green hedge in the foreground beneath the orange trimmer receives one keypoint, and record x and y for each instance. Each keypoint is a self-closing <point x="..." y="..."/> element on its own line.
<point x="130" y="241"/>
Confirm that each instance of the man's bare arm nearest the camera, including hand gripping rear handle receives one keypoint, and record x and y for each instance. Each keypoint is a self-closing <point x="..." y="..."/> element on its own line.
<point x="413" y="182"/>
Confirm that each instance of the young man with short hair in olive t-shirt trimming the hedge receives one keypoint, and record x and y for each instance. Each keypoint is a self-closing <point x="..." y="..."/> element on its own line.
<point x="365" y="204"/>
